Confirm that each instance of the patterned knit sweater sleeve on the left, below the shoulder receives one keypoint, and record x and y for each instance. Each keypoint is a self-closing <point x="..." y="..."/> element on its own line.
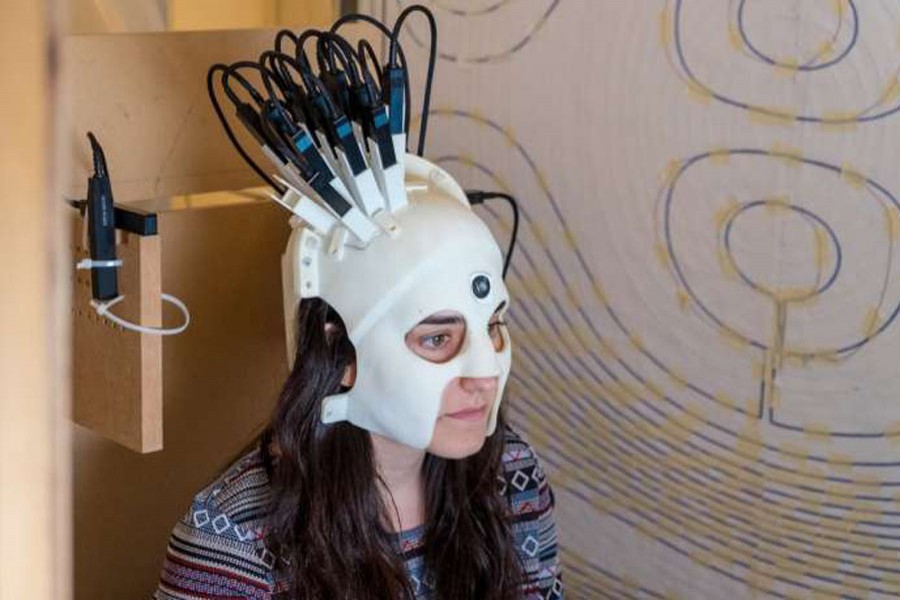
<point x="210" y="556"/>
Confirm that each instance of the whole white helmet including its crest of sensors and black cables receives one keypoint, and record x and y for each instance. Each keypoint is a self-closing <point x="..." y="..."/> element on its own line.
<point x="385" y="237"/>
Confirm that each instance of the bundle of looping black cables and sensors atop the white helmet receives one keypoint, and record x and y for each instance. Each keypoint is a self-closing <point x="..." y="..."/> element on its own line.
<point x="335" y="127"/>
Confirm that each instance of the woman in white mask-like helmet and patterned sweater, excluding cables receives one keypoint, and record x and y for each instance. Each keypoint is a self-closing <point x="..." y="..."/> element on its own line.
<point x="387" y="471"/>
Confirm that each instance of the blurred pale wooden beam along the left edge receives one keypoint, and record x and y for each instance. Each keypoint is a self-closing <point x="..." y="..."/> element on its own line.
<point x="35" y="506"/>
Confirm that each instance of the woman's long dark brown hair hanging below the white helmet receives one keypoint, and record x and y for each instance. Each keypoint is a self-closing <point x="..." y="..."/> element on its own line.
<point x="327" y="519"/>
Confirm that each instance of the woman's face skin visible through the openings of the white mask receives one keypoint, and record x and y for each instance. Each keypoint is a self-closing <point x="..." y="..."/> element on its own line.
<point x="466" y="402"/>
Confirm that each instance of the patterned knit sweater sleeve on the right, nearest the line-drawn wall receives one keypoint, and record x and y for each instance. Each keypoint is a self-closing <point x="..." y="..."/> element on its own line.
<point x="531" y="500"/>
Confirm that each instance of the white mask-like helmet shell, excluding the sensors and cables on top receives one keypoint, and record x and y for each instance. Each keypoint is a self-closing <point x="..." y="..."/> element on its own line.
<point x="433" y="254"/>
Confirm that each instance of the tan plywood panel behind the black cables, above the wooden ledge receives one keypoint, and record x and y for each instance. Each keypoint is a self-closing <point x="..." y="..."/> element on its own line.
<point x="145" y="97"/>
